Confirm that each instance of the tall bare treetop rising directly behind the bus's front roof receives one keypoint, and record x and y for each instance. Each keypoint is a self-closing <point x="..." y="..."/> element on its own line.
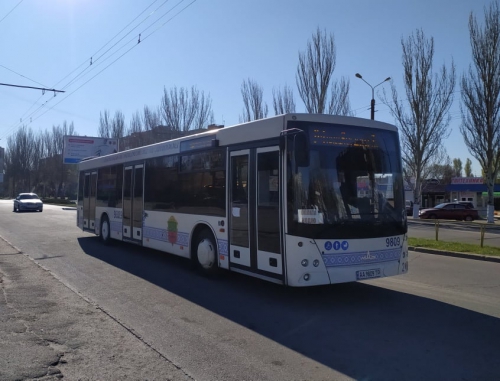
<point x="314" y="77"/>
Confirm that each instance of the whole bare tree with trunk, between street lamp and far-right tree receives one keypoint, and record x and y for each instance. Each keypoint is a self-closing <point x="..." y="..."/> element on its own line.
<point x="429" y="96"/>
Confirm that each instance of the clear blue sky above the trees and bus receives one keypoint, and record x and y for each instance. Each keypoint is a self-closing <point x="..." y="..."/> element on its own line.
<point x="90" y="49"/>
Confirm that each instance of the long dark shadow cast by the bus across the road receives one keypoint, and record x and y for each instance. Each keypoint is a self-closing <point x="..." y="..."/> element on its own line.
<point x="363" y="331"/>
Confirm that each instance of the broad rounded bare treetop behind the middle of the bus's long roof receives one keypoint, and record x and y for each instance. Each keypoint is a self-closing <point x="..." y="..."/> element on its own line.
<point x="184" y="110"/>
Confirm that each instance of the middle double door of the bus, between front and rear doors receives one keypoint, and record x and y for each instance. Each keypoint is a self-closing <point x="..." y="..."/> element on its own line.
<point x="133" y="194"/>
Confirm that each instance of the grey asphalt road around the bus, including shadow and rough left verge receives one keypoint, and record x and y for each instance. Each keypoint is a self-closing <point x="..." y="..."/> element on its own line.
<point x="438" y="322"/>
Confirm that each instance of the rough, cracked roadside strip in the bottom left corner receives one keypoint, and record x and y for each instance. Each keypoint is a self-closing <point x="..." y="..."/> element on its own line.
<point x="48" y="332"/>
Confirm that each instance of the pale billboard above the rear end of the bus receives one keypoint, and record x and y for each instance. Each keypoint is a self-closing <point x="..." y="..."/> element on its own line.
<point x="77" y="148"/>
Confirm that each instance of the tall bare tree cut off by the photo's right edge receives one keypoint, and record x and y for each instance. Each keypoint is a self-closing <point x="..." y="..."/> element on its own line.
<point x="480" y="105"/>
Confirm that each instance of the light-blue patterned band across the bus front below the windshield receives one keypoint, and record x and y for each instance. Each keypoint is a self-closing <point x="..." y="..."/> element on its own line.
<point x="361" y="258"/>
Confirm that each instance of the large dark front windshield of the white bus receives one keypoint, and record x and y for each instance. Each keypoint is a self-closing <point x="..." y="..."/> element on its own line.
<point x="351" y="185"/>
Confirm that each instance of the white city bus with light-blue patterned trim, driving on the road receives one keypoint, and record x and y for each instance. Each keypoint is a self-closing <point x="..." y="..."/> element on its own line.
<point x="296" y="199"/>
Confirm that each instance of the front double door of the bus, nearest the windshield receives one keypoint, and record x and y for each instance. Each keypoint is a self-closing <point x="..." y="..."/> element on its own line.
<point x="255" y="229"/>
